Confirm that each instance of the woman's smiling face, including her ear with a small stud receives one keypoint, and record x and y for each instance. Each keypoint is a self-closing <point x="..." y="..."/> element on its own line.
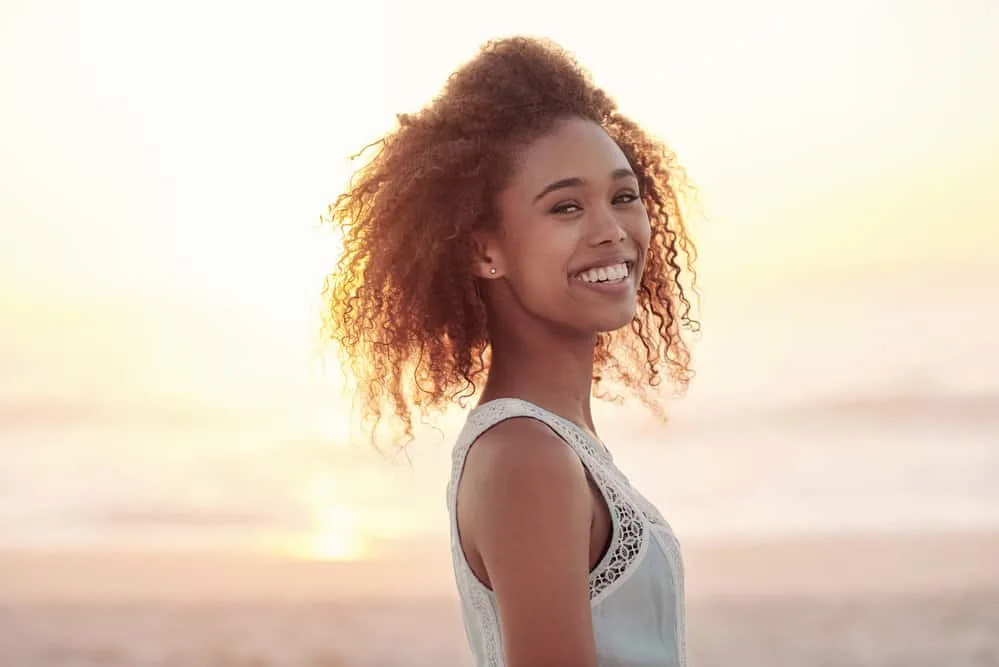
<point x="573" y="231"/>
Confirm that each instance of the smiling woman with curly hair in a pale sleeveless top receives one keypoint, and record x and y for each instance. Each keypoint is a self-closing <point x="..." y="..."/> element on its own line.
<point x="520" y="230"/>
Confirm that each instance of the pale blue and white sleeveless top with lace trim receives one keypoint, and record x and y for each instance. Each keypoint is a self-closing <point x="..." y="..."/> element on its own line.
<point x="636" y="590"/>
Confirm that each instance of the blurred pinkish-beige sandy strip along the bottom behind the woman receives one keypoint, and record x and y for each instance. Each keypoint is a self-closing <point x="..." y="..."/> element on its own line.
<point x="872" y="601"/>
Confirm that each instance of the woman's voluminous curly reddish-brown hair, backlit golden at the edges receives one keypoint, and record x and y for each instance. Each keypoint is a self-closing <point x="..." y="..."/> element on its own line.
<point x="403" y="306"/>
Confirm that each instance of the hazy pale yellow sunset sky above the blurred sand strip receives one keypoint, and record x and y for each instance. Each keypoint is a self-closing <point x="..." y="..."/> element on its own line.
<point x="164" y="168"/>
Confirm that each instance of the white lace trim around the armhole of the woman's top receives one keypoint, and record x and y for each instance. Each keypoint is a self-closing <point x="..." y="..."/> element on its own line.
<point x="629" y="536"/>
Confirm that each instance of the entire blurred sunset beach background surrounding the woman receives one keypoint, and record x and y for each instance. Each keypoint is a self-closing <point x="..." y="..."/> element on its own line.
<point x="180" y="483"/>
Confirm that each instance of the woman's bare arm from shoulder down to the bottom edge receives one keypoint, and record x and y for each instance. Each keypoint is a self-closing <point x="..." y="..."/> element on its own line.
<point x="528" y="516"/>
